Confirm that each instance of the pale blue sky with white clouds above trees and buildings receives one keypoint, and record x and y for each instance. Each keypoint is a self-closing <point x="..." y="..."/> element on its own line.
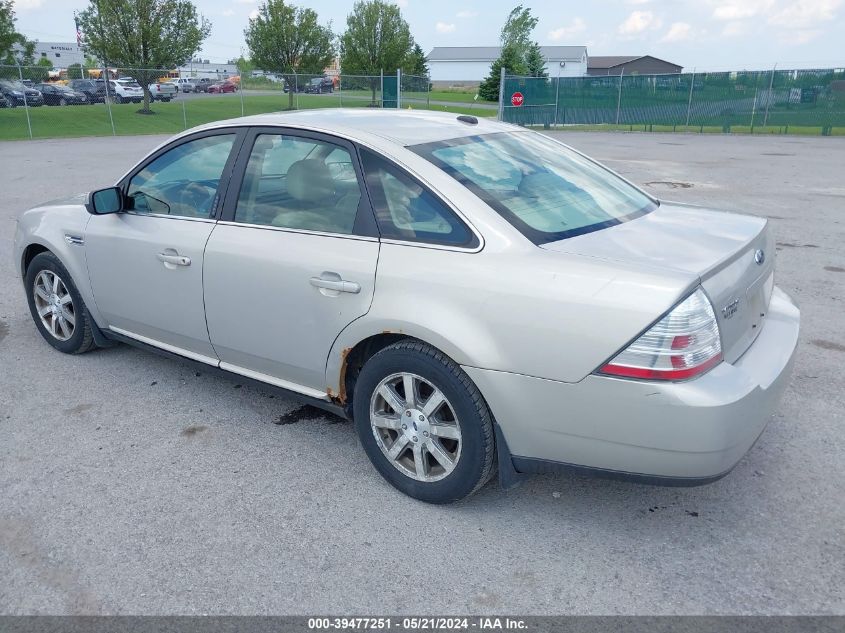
<point x="701" y="34"/>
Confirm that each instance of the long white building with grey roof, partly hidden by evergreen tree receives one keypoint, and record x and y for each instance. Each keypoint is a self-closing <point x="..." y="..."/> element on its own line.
<point x="471" y="64"/>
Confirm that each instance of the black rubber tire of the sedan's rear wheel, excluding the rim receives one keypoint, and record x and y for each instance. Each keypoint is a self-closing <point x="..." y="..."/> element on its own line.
<point x="476" y="464"/>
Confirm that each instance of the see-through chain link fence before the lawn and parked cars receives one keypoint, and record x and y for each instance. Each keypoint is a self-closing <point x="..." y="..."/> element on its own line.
<point x="41" y="103"/>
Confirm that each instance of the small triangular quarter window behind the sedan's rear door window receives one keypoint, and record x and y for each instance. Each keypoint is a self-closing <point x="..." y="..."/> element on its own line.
<point x="405" y="210"/>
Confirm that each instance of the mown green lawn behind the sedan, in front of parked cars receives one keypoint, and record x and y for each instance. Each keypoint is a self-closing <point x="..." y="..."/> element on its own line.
<point x="169" y="118"/>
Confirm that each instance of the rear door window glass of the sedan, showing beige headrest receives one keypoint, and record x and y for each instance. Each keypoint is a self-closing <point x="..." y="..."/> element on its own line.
<point x="299" y="183"/>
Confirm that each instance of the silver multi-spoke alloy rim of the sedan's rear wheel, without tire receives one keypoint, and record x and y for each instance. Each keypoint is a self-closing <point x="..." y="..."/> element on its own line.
<point x="415" y="426"/>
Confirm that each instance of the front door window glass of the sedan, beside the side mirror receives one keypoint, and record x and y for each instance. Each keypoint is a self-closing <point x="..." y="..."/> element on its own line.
<point x="184" y="180"/>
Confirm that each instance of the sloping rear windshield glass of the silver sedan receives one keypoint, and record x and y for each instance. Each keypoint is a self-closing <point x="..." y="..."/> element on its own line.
<point x="545" y="190"/>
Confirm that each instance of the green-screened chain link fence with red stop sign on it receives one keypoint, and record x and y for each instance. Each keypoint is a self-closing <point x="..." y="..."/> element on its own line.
<point x="773" y="101"/>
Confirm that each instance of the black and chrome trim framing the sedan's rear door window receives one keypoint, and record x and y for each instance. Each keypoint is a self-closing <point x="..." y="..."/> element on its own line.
<point x="365" y="220"/>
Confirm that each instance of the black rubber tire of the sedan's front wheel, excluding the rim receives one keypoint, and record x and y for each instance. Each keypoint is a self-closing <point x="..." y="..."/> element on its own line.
<point x="82" y="339"/>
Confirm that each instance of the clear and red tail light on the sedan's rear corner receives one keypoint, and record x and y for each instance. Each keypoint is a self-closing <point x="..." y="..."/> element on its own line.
<point x="683" y="344"/>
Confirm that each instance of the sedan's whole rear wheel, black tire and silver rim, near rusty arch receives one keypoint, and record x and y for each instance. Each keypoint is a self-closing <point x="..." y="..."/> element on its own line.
<point x="423" y="423"/>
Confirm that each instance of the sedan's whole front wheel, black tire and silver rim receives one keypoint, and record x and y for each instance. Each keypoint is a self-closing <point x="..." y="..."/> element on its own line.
<point x="56" y="306"/>
